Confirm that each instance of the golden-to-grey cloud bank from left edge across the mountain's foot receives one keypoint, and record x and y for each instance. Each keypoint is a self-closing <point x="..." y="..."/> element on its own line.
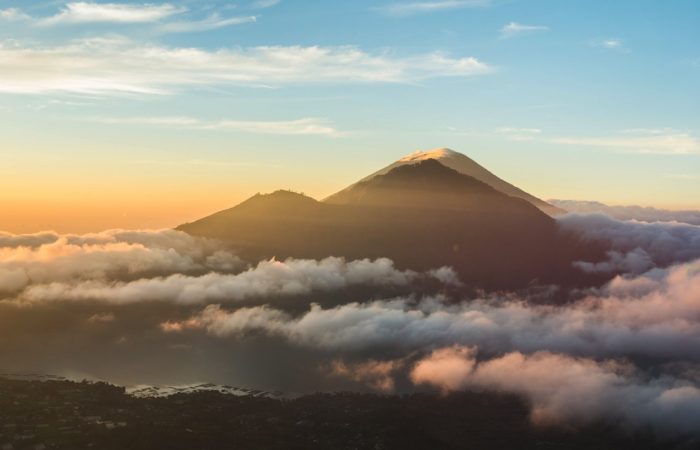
<point x="121" y="266"/>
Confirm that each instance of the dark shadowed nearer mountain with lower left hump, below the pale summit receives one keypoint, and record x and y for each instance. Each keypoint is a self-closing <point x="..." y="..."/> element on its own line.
<point x="422" y="215"/>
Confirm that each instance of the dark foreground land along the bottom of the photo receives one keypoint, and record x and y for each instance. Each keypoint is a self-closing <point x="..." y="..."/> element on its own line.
<point x="68" y="415"/>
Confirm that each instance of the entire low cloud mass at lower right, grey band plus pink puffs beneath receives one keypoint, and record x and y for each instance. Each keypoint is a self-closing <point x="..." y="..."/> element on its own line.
<point x="626" y="353"/>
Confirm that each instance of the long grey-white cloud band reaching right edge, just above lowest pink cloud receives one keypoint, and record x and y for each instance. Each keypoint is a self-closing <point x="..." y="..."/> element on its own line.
<point x="652" y="316"/>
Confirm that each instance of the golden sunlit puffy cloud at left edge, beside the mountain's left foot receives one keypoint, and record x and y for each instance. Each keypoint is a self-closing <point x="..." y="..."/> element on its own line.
<point x="48" y="257"/>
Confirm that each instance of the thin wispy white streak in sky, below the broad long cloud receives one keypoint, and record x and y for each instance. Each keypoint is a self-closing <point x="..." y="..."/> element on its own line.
<point x="309" y="126"/>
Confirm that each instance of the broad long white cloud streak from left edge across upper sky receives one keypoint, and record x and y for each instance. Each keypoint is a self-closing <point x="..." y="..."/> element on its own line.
<point x="119" y="65"/>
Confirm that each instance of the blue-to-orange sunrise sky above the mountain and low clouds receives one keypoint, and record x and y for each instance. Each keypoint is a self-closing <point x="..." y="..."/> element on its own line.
<point x="204" y="103"/>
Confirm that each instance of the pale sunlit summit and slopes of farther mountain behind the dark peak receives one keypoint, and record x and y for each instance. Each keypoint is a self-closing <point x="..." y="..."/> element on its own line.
<point x="462" y="164"/>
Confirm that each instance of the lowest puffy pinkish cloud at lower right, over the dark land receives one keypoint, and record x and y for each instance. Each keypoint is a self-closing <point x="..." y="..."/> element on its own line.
<point x="563" y="389"/>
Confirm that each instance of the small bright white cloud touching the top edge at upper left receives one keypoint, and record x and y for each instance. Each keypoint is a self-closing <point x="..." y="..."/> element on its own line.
<point x="84" y="12"/>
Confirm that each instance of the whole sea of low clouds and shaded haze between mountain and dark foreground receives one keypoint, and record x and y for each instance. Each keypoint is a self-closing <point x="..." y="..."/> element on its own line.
<point x="165" y="307"/>
